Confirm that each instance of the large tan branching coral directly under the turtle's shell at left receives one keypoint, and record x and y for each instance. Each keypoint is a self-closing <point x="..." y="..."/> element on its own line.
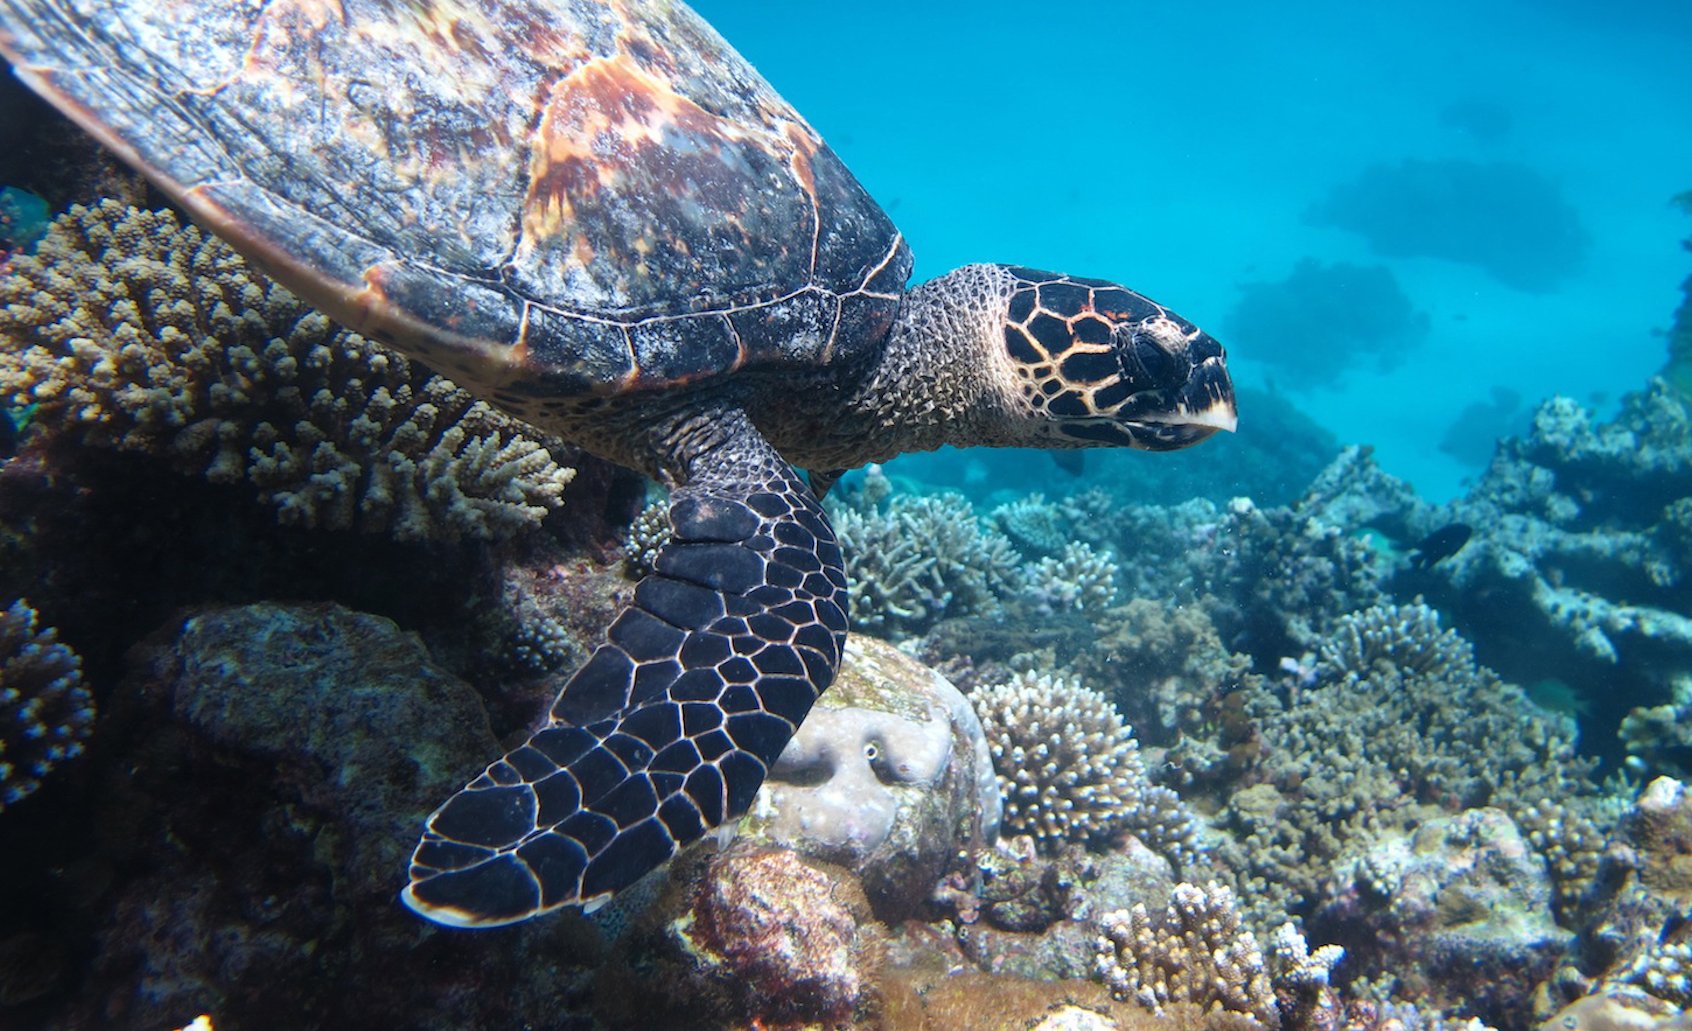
<point x="131" y="331"/>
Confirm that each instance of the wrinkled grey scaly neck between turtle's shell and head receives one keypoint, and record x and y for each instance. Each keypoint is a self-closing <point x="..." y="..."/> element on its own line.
<point x="942" y="378"/>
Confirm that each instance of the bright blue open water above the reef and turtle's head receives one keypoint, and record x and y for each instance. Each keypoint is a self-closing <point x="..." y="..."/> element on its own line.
<point x="1187" y="152"/>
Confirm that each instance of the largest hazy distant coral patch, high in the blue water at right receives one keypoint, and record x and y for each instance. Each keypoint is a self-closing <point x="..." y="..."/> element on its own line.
<point x="1502" y="218"/>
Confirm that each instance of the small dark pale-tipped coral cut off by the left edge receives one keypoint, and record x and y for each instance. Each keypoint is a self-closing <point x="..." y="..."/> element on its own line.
<point x="45" y="710"/>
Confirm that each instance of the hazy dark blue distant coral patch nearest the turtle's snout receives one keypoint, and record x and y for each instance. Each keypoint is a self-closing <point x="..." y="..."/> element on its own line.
<point x="1324" y="321"/>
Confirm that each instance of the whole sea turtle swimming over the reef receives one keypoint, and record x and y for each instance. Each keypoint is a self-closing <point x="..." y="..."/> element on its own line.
<point x="596" y="216"/>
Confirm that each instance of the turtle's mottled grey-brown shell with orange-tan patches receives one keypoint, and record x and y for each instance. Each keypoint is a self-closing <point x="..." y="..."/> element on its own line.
<point x="537" y="197"/>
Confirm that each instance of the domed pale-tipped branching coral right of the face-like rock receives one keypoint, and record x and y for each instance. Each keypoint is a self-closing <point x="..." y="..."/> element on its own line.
<point x="1070" y="769"/>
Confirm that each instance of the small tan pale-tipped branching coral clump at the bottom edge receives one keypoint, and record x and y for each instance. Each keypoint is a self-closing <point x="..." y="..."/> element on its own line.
<point x="1194" y="952"/>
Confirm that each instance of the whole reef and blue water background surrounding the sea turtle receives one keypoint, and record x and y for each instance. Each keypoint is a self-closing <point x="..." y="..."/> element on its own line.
<point x="1376" y="714"/>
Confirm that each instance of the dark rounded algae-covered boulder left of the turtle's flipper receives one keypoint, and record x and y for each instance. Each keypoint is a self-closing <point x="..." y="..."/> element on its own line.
<point x="344" y="707"/>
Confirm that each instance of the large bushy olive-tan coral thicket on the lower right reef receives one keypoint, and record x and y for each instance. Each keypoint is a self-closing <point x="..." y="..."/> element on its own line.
<point x="1402" y="722"/>
